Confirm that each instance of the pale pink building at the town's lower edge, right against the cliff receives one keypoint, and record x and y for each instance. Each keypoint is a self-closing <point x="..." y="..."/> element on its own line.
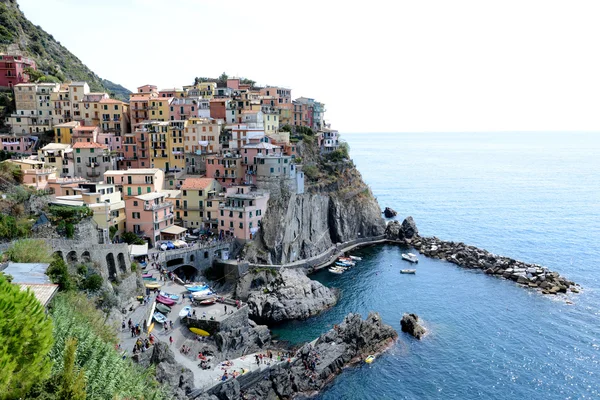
<point x="240" y="214"/>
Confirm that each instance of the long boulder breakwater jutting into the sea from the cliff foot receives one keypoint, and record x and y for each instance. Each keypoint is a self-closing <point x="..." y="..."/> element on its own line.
<point x="529" y="275"/>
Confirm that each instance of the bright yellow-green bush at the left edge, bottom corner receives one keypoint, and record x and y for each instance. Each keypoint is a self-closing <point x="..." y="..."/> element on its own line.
<point x="25" y="340"/>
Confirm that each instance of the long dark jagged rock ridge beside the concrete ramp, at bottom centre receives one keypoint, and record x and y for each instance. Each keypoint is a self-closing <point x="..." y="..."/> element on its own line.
<point x="314" y="365"/>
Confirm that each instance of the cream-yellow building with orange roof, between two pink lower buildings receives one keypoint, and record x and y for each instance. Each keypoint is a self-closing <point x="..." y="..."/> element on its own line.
<point x="199" y="203"/>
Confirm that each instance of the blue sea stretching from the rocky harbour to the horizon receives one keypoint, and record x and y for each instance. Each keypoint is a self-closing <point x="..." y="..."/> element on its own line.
<point x="534" y="197"/>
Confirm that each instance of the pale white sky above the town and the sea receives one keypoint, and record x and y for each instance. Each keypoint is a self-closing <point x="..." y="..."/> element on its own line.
<point x="380" y="66"/>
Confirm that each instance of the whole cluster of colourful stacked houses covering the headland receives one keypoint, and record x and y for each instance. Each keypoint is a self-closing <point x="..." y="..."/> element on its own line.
<point x="172" y="164"/>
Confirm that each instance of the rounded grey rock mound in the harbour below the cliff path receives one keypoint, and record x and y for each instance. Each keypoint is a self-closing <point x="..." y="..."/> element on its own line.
<point x="275" y="296"/>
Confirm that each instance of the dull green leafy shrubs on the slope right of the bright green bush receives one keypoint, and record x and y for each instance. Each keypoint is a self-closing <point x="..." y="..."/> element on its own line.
<point x="109" y="376"/>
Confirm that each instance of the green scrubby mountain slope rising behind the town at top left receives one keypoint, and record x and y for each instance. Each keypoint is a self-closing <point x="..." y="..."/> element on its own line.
<point x="53" y="59"/>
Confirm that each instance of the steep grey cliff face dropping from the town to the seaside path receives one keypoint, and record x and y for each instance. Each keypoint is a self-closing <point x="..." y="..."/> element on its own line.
<point x="337" y="206"/>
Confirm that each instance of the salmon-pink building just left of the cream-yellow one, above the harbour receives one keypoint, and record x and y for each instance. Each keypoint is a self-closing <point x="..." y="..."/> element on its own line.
<point x="147" y="215"/>
